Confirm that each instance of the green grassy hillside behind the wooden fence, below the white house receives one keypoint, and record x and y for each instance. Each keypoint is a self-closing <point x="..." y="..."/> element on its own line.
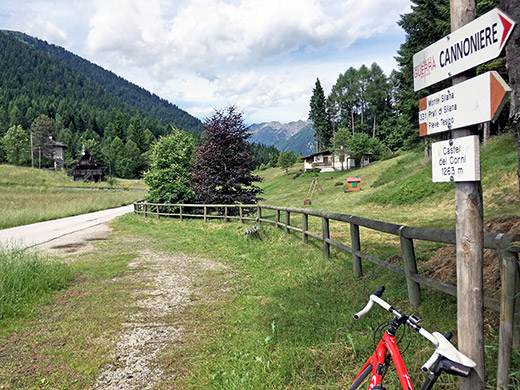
<point x="400" y="190"/>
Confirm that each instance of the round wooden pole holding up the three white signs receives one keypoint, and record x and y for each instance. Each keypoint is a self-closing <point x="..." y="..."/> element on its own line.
<point x="470" y="238"/>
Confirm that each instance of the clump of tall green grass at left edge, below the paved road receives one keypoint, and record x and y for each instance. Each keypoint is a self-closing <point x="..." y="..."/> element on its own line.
<point x="26" y="277"/>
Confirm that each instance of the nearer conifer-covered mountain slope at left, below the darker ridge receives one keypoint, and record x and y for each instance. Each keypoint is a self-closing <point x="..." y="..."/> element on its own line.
<point x="40" y="95"/>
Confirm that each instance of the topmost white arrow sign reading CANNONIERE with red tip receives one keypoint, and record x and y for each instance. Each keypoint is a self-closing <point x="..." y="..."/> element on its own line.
<point x="471" y="45"/>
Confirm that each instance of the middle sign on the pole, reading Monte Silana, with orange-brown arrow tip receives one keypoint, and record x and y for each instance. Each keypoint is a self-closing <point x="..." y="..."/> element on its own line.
<point x="476" y="100"/>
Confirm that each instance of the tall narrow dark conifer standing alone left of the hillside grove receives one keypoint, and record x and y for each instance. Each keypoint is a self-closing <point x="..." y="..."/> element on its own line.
<point x="318" y="116"/>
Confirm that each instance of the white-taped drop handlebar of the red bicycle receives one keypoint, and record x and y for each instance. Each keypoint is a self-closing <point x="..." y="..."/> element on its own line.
<point x="442" y="345"/>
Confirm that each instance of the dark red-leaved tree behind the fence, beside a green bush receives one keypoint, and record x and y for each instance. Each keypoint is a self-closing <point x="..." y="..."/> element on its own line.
<point x="223" y="163"/>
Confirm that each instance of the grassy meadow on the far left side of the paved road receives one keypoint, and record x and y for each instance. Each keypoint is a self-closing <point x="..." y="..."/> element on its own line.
<point x="29" y="195"/>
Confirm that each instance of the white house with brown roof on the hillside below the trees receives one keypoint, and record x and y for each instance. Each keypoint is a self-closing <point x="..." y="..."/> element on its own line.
<point x="328" y="161"/>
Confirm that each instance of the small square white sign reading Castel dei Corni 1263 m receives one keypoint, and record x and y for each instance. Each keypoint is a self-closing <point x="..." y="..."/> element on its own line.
<point x="456" y="160"/>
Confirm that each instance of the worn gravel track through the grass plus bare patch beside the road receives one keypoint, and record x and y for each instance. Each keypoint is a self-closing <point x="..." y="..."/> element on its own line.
<point x="169" y="281"/>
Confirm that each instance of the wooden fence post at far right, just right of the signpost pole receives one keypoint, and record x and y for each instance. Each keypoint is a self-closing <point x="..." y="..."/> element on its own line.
<point x="507" y="315"/>
